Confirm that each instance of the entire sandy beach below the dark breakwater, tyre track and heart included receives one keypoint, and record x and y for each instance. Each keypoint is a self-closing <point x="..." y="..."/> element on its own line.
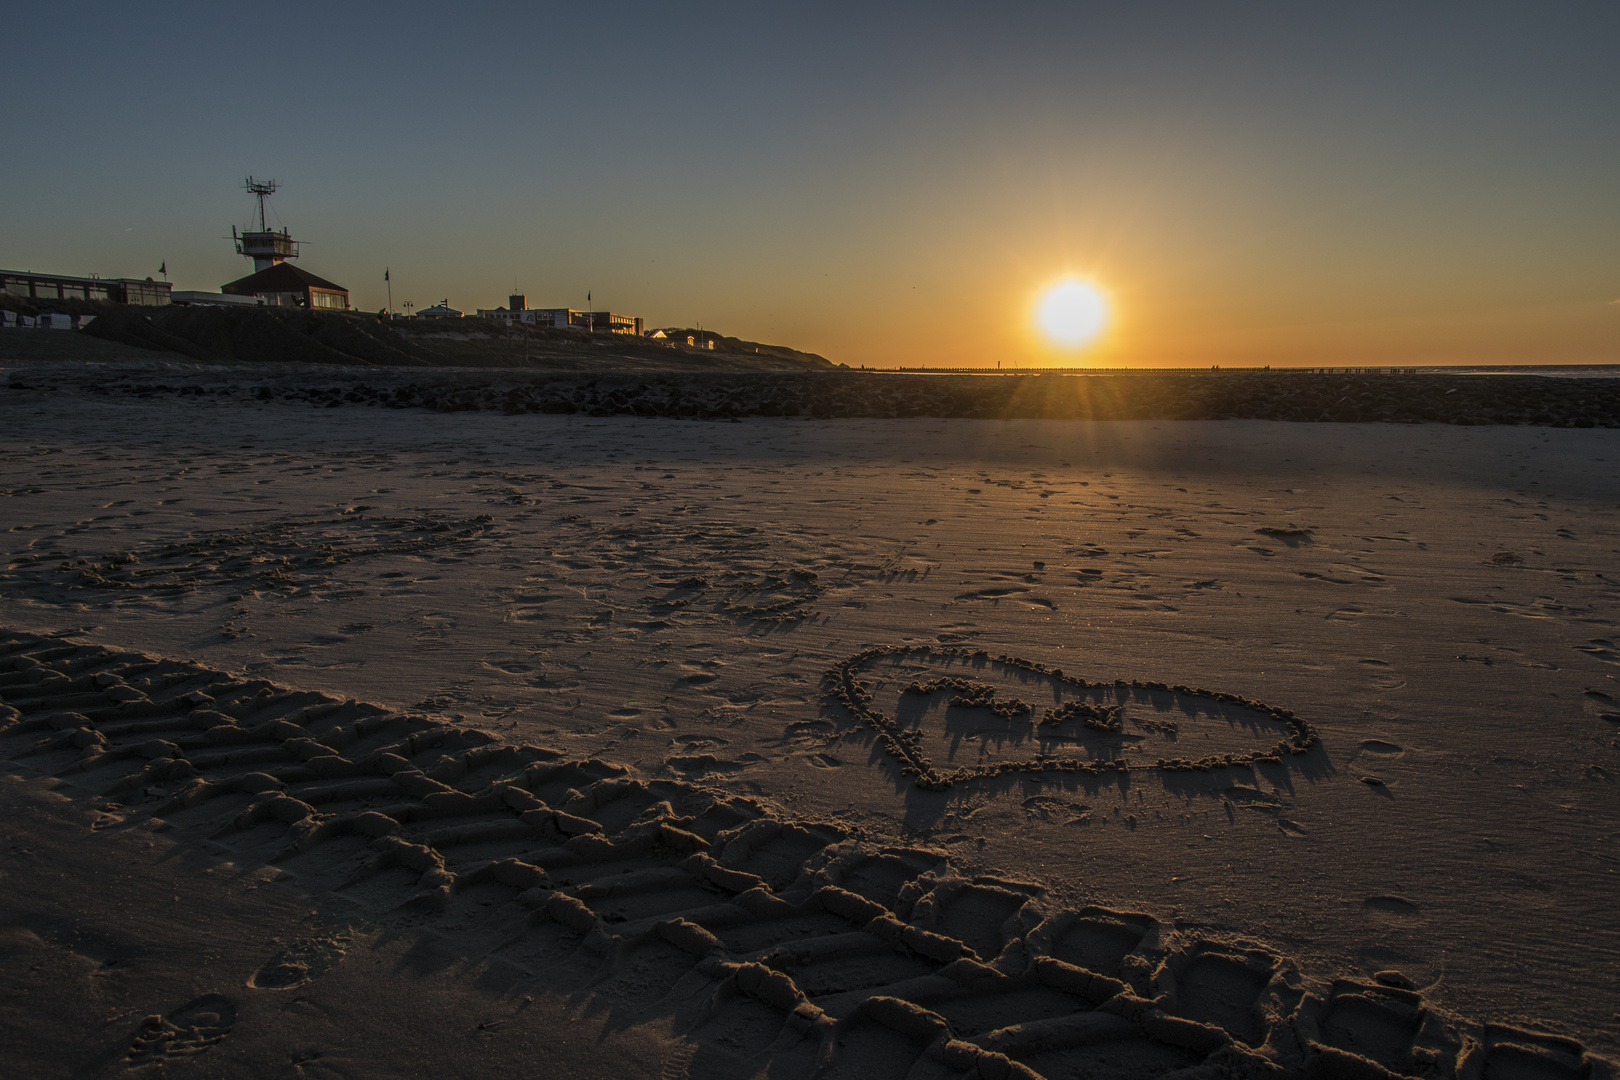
<point x="900" y="747"/>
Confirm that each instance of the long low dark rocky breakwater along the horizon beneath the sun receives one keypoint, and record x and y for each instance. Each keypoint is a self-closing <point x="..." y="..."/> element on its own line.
<point x="1410" y="399"/>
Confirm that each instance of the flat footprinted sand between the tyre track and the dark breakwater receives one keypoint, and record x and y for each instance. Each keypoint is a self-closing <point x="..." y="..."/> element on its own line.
<point x="1436" y="603"/>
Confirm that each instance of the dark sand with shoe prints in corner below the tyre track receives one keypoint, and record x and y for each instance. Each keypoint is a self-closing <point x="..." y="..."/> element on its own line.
<point x="309" y="989"/>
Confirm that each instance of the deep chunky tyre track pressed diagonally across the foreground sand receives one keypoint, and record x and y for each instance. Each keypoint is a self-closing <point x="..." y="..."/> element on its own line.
<point x="765" y="945"/>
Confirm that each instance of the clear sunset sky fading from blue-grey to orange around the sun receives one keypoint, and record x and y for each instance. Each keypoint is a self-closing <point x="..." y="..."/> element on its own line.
<point x="884" y="184"/>
